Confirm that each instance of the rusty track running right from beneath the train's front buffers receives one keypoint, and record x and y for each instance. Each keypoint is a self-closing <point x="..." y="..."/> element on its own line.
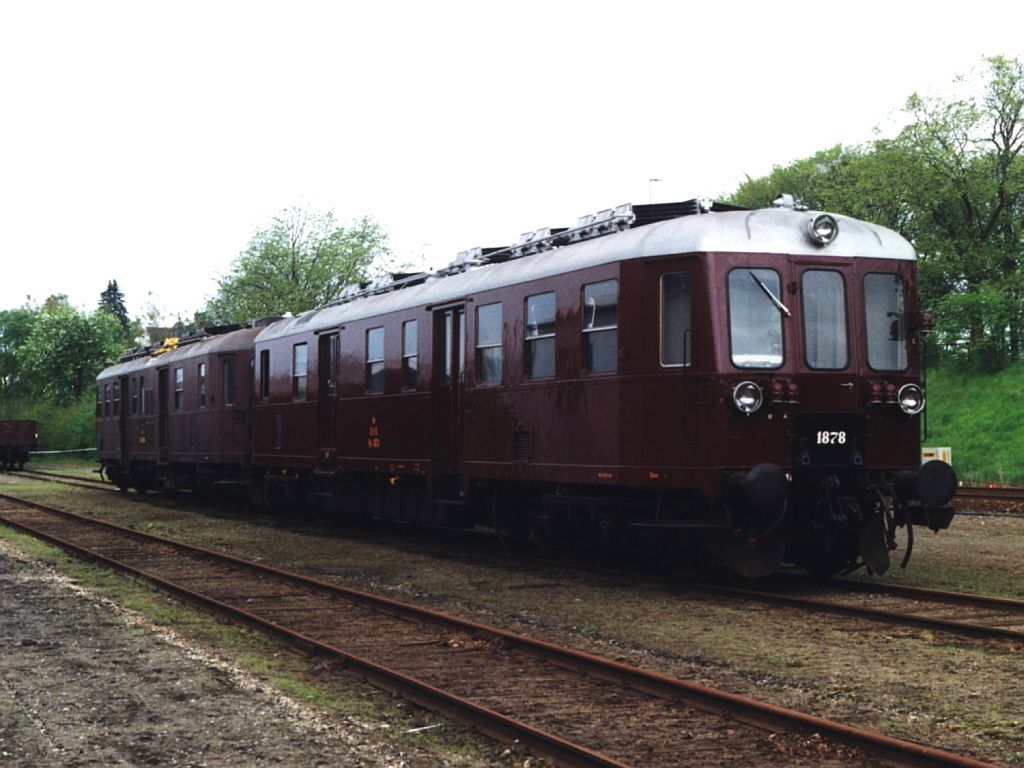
<point x="956" y="613"/>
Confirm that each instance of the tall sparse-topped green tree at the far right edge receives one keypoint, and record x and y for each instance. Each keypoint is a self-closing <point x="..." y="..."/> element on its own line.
<point x="971" y="211"/>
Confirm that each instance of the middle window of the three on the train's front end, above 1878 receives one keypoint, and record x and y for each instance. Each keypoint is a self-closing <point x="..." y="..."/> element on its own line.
<point x="825" y="320"/>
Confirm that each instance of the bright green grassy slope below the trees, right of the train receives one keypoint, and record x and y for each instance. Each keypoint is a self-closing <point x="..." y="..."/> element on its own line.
<point x="980" y="417"/>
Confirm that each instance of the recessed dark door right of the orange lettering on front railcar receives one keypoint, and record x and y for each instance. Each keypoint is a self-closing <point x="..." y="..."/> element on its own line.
<point x="449" y="383"/>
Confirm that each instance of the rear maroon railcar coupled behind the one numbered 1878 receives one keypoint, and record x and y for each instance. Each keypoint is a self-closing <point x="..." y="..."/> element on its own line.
<point x="178" y="416"/>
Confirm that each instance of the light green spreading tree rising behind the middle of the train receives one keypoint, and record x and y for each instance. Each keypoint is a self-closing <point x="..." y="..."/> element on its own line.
<point x="302" y="262"/>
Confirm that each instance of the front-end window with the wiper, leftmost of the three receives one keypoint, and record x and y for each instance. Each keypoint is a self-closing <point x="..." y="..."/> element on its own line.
<point x="756" y="313"/>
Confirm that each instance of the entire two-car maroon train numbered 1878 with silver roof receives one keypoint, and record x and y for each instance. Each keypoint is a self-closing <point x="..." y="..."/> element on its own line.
<point x="673" y="380"/>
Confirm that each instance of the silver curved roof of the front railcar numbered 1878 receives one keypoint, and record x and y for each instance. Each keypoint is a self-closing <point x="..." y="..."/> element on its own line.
<point x="764" y="231"/>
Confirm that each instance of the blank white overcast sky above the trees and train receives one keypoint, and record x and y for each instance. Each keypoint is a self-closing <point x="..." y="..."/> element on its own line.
<point x="147" y="142"/>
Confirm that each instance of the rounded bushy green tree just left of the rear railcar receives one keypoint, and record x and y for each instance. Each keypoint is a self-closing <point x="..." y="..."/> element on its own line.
<point x="66" y="350"/>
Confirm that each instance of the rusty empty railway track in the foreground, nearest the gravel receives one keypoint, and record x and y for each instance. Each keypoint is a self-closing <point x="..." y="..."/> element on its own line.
<point x="575" y="708"/>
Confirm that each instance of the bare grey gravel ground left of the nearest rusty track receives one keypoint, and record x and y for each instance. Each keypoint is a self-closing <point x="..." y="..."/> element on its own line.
<point x="86" y="684"/>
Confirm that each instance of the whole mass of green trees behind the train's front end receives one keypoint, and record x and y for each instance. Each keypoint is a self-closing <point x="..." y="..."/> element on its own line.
<point x="953" y="183"/>
